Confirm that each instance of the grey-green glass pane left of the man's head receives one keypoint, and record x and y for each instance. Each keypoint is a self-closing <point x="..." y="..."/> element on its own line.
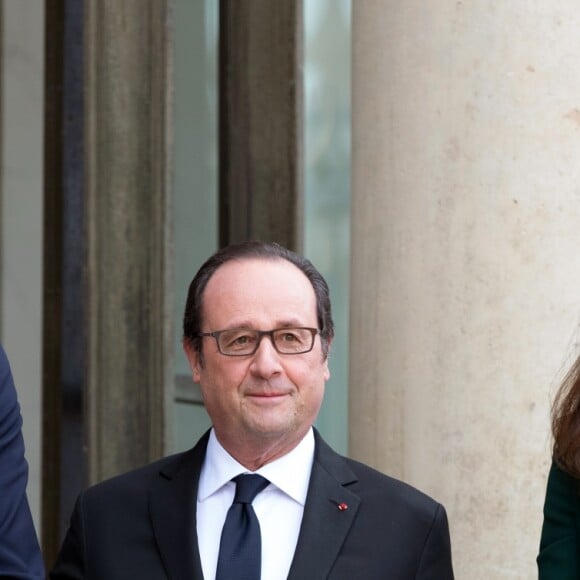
<point x="195" y="182"/>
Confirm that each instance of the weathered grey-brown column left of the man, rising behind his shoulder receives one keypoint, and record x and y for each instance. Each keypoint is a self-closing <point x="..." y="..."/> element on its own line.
<point x="127" y="72"/>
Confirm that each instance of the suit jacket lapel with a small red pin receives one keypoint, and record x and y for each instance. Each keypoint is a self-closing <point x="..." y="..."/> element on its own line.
<point x="329" y="512"/>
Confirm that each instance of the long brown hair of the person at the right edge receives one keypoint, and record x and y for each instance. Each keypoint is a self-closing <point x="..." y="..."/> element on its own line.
<point x="566" y="422"/>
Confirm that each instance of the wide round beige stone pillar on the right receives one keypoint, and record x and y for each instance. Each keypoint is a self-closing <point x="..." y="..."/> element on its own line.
<point x="465" y="257"/>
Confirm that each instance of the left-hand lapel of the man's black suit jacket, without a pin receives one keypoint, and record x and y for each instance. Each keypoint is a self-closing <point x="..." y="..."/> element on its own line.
<point x="172" y="504"/>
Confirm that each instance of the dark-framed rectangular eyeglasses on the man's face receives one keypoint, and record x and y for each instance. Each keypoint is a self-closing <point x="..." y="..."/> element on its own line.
<point x="245" y="341"/>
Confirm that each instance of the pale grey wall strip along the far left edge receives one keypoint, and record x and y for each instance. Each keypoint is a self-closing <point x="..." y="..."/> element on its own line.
<point x="22" y="200"/>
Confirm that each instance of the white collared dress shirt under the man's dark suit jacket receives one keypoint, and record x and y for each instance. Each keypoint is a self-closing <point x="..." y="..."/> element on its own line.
<point x="279" y="507"/>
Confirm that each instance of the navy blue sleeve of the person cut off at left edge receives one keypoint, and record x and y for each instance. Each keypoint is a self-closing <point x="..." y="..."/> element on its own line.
<point x="20" y="555"/>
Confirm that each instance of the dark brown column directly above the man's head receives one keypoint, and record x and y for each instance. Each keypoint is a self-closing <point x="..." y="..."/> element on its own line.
<point x="261" y="121"/>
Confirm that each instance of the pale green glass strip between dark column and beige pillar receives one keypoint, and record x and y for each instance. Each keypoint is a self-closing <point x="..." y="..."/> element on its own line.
<point x="327" y="185"/>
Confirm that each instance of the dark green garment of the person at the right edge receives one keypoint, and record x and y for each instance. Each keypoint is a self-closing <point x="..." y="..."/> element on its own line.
<point x="560" y="542"/>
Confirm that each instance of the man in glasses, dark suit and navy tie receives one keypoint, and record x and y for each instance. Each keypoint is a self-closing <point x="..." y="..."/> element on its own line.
<point x="257" y="332"/>
